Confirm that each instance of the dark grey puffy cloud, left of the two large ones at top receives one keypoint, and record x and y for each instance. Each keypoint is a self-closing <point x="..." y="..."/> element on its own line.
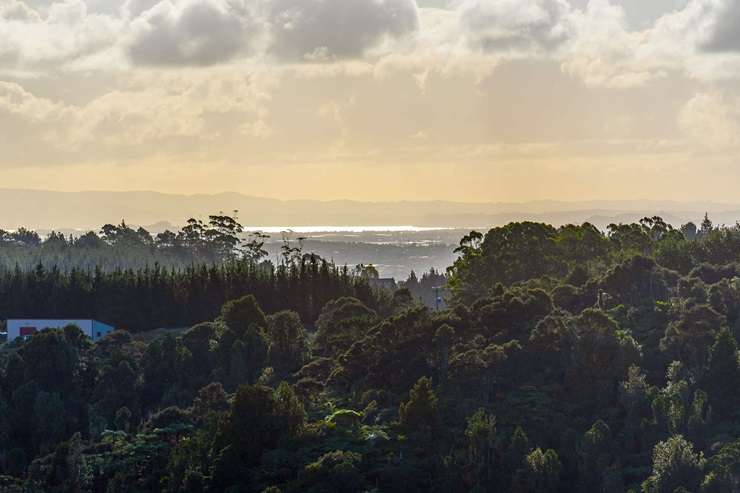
<point x="191" y="32"/>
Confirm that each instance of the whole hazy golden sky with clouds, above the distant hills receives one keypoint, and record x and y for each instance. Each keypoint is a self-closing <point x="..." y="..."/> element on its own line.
<point x="476" y="100"/>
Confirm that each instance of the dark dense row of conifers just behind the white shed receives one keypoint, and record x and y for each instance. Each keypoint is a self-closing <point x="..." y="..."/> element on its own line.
<point x="151" y="296"/>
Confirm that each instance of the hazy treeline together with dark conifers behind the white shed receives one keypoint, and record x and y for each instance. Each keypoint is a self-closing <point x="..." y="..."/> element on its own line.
<point x="138" y="282"/>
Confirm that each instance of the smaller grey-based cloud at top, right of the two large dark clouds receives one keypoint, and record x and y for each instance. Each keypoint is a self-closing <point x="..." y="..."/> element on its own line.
<point x="502" y="25"/>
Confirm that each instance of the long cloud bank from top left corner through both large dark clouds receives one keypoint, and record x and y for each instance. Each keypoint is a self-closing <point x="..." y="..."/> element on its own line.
<point x="103" y="34"/>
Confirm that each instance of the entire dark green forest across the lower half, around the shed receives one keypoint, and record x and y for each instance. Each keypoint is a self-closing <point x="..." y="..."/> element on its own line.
<point x="564" y="359"/>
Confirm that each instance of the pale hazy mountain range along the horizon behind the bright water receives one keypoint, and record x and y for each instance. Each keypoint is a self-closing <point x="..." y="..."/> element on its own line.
<point x="44" y="210"/>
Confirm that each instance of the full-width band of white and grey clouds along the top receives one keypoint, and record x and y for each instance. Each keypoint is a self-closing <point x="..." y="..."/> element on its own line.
<point x="592" y="40"/>
